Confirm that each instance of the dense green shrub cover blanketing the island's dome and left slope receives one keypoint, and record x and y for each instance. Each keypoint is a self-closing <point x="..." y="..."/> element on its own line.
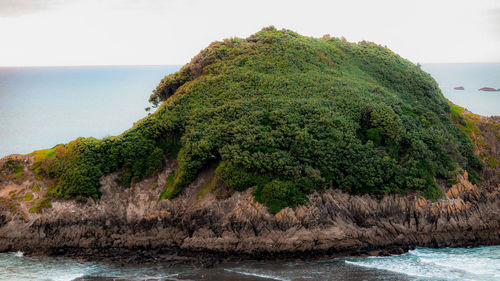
<point x="286" y="115"/>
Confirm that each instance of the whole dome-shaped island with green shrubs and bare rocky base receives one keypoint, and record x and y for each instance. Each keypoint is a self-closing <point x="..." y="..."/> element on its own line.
<point x="273" y="146"/>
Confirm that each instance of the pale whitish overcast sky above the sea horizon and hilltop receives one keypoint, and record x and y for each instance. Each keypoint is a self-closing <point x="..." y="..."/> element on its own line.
<point x="155" y="32"/>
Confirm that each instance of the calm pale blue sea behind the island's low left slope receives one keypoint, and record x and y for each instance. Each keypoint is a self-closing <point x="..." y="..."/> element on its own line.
<point x="41" y="107"/>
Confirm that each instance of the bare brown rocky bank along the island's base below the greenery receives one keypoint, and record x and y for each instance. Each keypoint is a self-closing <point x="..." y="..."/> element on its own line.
<point x="208" y="223"/>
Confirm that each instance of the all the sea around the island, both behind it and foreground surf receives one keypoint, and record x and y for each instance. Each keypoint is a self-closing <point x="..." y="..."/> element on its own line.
<point x="41" y="107"/>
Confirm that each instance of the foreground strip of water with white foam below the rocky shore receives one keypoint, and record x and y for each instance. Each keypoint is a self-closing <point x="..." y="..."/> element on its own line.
<point x="479" y="264"/>
